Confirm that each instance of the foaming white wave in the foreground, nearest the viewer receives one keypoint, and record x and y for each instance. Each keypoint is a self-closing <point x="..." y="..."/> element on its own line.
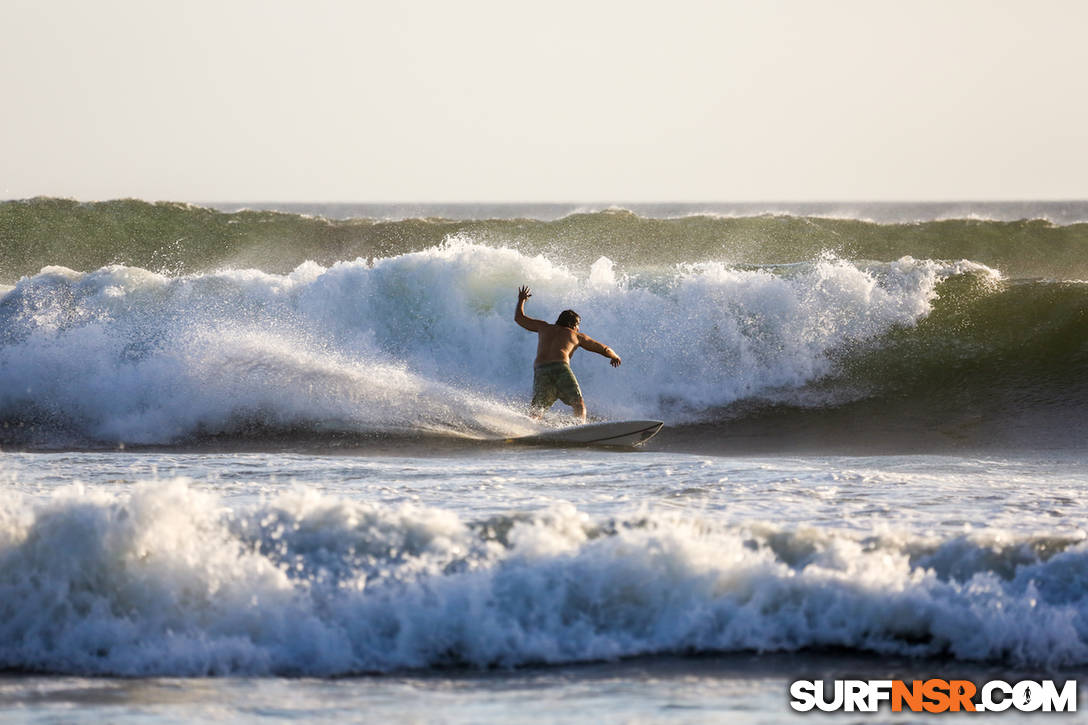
<point x="165" y="583"/>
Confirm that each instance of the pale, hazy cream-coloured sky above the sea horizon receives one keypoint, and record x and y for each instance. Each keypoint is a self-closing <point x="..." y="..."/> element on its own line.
<point x="500" y="101"/>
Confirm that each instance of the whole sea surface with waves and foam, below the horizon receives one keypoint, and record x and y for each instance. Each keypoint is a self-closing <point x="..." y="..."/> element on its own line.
<point x="257" y="463"/>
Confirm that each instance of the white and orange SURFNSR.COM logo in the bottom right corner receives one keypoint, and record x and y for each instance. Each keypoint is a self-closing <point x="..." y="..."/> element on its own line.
<point x="933" y="696"/>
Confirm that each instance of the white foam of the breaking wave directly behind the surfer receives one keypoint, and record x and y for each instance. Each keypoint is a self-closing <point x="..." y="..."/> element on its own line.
<point x="426" y="341"/>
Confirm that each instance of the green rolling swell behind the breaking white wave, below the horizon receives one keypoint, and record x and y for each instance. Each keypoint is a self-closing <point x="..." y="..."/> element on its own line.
<point x="184" y="239"/>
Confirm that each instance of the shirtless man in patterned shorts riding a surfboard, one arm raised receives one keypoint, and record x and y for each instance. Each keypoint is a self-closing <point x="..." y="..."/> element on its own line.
<point x="555" y="343"/>
